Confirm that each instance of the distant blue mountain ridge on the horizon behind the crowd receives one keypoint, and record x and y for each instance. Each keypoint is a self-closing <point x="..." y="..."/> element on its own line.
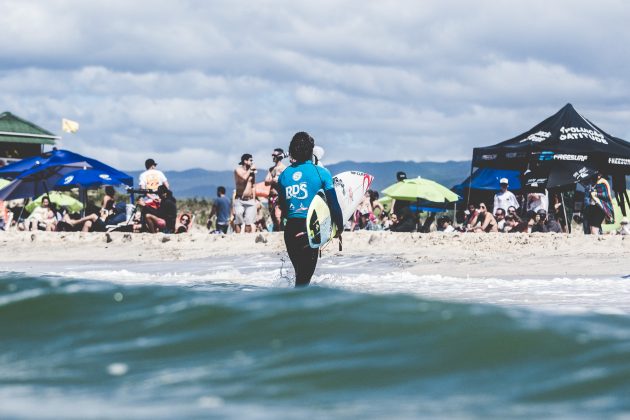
<point x="203" y="183"/>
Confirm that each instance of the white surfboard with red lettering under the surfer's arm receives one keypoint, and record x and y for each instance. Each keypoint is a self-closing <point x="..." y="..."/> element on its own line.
<point x="350" y="187"/>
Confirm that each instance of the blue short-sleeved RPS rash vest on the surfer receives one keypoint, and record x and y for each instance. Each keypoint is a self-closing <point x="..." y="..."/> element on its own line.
<point x="299" y="183"/>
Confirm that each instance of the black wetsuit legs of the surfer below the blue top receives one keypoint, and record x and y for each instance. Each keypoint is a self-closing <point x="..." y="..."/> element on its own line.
<point x="303" y="257"/>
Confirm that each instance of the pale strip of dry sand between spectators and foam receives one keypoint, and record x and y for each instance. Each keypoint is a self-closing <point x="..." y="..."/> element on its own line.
<point x="460" y="255"/>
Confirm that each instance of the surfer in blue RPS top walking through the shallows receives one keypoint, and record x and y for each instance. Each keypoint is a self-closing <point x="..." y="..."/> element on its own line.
<point x="297" y="186"/>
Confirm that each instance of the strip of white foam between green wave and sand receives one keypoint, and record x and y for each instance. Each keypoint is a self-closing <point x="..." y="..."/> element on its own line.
<point x="359" y="274"/>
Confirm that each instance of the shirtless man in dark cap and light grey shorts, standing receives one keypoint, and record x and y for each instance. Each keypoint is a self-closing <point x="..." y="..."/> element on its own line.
<point x="244" y="200"/>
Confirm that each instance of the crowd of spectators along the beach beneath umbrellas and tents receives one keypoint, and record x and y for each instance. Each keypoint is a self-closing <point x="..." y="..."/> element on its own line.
<point x="155" y="210"/>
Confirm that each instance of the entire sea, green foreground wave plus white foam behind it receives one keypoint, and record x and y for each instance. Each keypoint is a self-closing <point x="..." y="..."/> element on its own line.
<point x="230" y="338"/>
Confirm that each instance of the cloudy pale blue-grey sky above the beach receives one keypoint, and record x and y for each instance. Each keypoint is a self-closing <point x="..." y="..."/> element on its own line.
<point x="198" y="83"/>
